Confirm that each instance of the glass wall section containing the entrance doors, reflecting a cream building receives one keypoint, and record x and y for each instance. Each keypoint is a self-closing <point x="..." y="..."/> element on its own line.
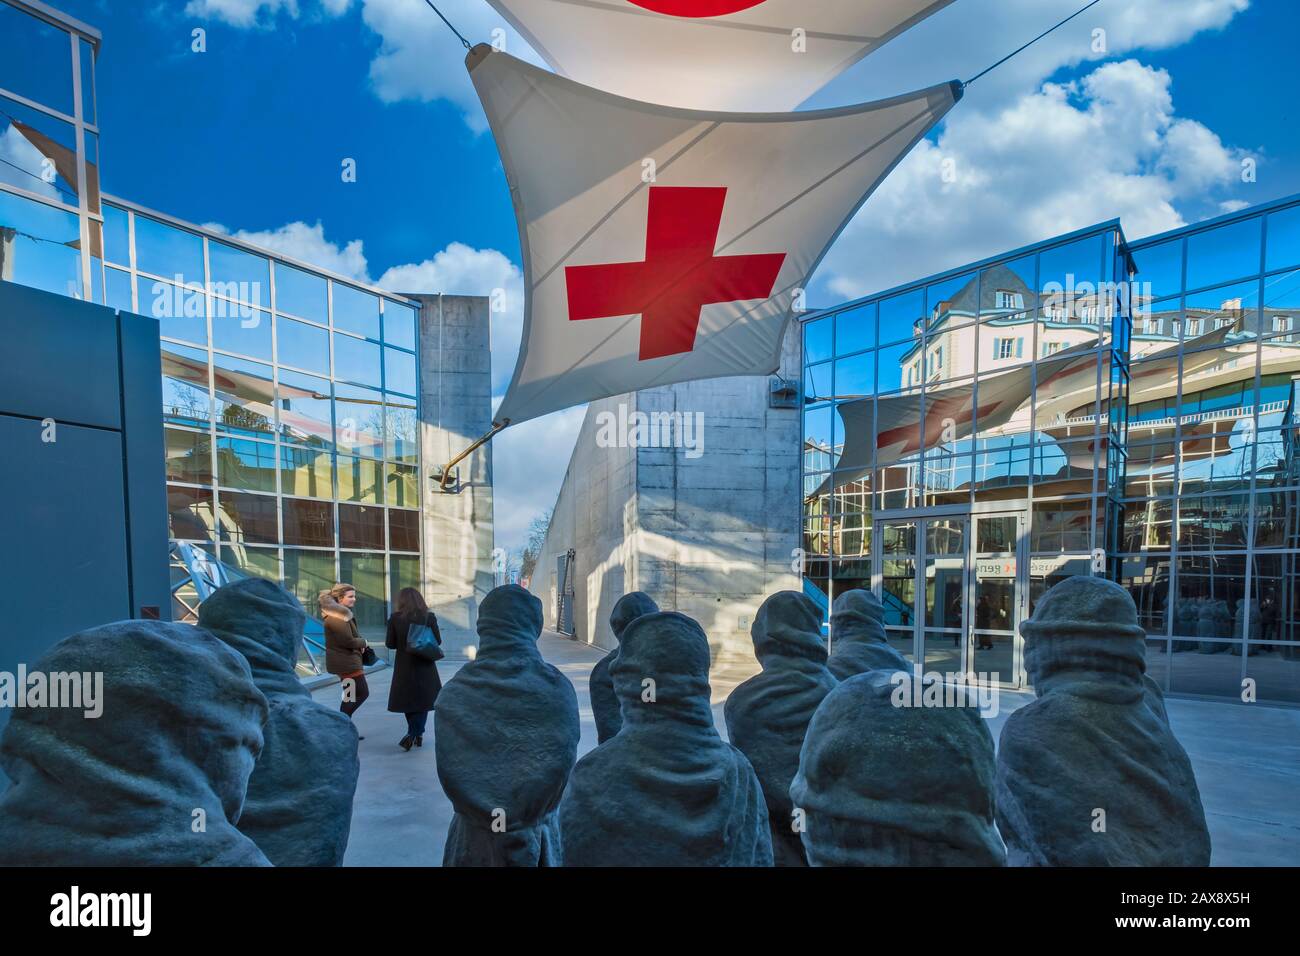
<point x="961" y="439"/>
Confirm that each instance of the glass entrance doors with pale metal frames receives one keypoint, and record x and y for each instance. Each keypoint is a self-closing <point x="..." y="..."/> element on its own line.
<point x="952" y="590"/>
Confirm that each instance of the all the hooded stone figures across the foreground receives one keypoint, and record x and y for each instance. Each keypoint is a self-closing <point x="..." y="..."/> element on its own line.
<point x="211" y="752"/>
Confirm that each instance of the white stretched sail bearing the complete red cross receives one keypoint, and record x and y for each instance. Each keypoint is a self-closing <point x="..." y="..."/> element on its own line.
<point x="668" y="245"/>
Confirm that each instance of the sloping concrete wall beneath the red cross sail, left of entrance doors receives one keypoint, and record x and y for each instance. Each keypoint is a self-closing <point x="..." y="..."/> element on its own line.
<point x="710" y="537"/>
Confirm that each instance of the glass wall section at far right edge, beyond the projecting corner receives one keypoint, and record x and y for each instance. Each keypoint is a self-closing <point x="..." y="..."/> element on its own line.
<point x="1211" y="542"/>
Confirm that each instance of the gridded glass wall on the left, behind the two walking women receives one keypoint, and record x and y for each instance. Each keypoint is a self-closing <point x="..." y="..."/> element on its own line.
<point x="291" y="410"/>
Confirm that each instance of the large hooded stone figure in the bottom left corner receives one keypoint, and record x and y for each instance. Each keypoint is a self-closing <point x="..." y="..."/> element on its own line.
<point x="159" y="778"/>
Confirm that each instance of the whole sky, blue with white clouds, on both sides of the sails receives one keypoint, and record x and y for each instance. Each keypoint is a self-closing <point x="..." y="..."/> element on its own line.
<point x="252" y="135"/>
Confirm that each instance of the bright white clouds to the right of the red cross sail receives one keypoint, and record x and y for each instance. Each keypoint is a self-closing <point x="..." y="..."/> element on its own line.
<point x="1030" y="166"/>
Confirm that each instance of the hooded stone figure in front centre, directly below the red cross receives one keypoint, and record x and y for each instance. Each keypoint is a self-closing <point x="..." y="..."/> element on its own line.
<point x="666" y="791"/>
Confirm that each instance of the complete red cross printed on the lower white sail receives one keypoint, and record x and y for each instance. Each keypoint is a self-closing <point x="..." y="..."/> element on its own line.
<point x="679" y="276"/>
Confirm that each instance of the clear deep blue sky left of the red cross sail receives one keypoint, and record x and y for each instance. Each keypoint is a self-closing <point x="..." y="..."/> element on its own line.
<point x="253" y="133"/>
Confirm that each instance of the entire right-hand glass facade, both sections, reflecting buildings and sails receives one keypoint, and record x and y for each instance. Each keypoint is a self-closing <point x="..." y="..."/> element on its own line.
<point x="974" y="438"/>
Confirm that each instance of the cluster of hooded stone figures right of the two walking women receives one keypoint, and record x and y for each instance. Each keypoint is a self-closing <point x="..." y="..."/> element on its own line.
<point x="829" y="764"/>
